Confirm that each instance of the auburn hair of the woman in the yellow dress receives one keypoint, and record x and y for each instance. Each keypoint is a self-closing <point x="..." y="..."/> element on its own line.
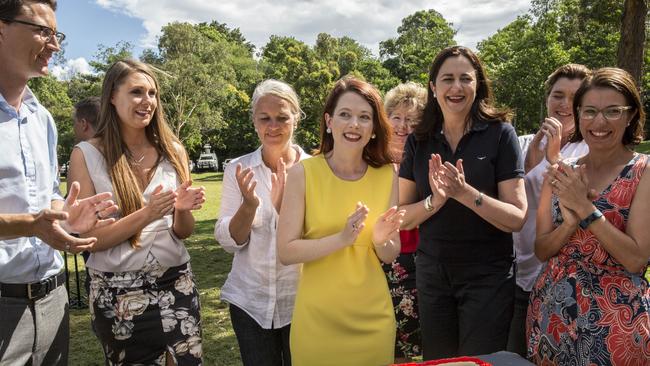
<point x="376" y="153"/>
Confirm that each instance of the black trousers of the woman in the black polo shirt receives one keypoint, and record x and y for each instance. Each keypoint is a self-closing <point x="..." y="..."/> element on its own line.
<point x="465" y="309"/>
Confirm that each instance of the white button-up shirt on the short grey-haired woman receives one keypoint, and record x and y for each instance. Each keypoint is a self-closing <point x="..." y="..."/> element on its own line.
<point x="257" y="283"/>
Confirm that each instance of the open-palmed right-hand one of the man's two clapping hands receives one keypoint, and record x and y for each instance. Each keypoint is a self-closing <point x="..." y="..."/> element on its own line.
<point x="88" y="213"/>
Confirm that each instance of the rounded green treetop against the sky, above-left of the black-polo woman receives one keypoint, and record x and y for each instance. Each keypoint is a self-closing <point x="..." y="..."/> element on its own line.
<point x="420" y="37"/>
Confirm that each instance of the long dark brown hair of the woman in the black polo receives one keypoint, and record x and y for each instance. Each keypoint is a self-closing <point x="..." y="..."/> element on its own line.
<point x="482" y="108"/>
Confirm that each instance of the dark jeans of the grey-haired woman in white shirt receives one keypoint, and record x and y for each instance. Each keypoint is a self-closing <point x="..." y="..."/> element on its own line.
<point x="259" y="346"/>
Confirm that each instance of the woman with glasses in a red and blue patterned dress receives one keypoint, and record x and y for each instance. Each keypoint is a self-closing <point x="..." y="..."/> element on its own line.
<point x="590" y="305"/>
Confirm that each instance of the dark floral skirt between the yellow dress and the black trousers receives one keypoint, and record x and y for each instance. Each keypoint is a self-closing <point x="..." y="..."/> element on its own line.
<point x="401" y="283"/>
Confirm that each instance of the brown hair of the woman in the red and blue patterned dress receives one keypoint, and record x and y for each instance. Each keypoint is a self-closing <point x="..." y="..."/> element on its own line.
<point x="621" y="81"/>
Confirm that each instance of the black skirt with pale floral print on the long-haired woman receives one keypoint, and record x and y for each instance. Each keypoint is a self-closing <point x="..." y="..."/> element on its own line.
<point x="139" y="316"/>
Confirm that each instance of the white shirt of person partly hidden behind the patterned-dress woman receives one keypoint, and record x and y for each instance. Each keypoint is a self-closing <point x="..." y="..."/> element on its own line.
<point x="528" y="266"/>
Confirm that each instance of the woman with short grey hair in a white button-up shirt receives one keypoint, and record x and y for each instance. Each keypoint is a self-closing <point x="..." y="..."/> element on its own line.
<point x="260" y="289"/>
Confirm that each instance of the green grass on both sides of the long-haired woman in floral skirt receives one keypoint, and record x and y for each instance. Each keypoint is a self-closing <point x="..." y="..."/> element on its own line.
<point x="211" y="265"/>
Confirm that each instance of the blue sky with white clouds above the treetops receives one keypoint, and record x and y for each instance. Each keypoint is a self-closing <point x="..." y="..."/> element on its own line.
<point x="89" y="23"/>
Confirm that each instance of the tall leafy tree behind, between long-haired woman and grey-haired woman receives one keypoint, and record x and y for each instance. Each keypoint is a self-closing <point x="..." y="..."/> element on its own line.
<point x="206" y="71"/>
